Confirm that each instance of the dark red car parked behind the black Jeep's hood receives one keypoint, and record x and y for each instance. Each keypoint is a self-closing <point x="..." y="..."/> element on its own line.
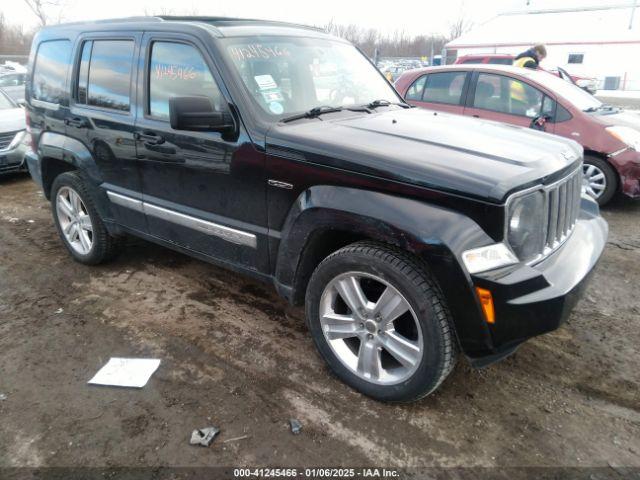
<point x="534" y="98"/>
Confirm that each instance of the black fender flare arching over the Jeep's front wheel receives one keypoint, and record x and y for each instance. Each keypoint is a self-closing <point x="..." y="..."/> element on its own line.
<point x="435" y="234"/>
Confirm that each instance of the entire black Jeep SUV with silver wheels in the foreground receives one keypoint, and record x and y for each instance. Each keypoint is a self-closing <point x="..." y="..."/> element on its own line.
<point x="280" y="151"/>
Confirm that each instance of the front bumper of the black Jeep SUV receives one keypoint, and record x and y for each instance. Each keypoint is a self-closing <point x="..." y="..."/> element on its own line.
<point x="532" y="300"/>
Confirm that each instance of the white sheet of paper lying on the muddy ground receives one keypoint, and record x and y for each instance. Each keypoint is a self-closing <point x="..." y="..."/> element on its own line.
<point x="126" y="372"/>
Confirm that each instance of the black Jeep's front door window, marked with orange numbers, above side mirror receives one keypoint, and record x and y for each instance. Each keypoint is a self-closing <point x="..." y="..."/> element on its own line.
<point x="177" y="70"/>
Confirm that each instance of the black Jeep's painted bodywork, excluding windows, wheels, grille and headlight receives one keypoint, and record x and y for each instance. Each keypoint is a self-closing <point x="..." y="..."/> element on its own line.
<point x="433" y="184"/>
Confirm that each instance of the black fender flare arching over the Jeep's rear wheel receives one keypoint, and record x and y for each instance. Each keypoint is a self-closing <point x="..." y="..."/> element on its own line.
<point x="74" y="153"/>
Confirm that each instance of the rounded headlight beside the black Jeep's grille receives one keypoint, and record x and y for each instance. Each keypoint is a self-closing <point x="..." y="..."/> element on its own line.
<point x="525" y="225"/>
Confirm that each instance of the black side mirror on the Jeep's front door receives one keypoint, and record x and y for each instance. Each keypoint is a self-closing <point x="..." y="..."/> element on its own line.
<point x="198" y="114"/>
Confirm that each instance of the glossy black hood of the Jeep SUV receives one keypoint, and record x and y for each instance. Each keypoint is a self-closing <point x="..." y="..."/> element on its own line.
<point x="442" y="151"/>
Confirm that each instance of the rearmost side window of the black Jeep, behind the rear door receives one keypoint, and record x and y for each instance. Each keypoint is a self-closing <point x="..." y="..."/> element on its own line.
<point x="50" y="71"/>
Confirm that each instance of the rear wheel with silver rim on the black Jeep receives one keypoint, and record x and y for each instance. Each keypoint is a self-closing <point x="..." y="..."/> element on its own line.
<point x="78" y="223"/>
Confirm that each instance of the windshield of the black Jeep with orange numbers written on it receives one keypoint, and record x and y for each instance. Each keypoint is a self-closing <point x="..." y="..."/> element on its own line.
<point x="288" y="75"/>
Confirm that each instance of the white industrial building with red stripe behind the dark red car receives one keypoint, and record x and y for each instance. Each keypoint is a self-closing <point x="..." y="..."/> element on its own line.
<point x="600" y="41"/>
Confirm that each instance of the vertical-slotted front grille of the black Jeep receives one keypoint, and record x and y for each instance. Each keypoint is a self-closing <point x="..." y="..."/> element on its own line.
<point x="563" y="206"/>
